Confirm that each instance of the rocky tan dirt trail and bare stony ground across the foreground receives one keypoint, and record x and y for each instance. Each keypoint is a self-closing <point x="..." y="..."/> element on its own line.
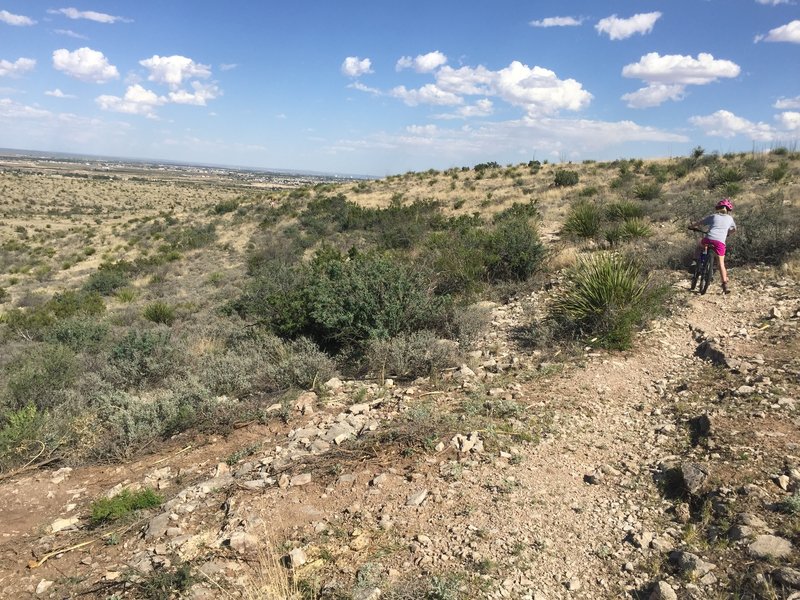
<point x="584" y="510"/>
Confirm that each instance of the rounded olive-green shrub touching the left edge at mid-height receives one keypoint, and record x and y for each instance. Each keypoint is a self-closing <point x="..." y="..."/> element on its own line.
<point x="39" y="376"/>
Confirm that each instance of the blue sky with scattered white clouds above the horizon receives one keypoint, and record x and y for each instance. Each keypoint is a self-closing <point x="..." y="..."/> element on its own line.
<point x="378" y="88"/>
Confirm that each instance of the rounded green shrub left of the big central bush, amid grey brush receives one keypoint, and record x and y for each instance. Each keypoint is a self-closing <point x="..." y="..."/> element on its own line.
<point x="145" y="357"/>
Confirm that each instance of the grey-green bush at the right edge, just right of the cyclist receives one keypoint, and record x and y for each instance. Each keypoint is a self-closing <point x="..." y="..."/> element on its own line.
<point x="766" y="232"/>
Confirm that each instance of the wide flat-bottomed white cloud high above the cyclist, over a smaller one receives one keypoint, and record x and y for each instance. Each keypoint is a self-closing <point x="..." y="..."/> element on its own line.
<point x="676" y="68"/>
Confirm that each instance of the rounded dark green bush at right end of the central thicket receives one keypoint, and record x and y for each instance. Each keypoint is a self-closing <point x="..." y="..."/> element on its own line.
<point x="513" y="251"/>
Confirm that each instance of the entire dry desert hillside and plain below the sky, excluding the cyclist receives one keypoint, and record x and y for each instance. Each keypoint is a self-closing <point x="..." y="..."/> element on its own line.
<point x="491" y="381"/>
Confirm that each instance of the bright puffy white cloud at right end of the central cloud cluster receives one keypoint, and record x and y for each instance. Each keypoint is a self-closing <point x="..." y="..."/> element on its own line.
<point x="538" y="90"/>
